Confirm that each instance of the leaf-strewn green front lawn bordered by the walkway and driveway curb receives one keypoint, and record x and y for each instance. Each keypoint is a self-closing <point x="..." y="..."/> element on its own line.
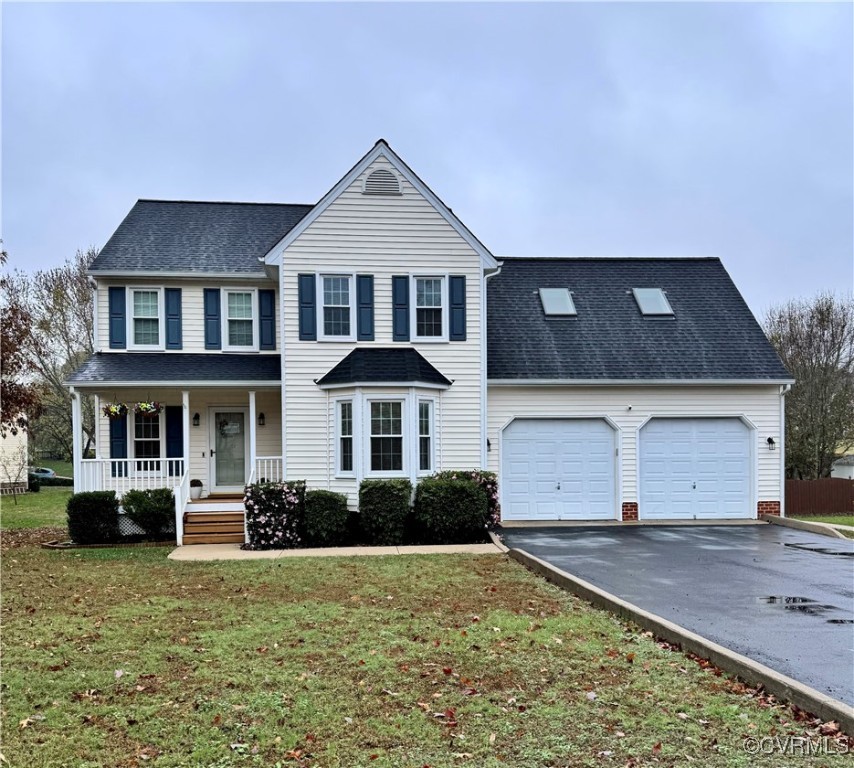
<point x="122" y="657"/>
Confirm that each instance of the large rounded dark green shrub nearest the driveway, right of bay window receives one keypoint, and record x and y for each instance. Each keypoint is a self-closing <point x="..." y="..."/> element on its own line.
<point x="450" y="511"/>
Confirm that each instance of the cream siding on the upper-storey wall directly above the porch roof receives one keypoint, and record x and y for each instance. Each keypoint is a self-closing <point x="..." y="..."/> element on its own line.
<point x="192" y="312"/>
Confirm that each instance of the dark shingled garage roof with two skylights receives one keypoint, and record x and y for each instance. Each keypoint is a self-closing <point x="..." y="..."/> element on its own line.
<point x="712" y="334"/>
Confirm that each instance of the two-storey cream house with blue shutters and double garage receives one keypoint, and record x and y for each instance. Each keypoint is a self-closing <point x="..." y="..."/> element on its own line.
<point x="373" y="335"/>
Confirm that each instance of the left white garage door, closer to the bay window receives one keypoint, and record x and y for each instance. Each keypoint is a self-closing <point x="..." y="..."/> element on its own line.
<point x="558" y="469"/>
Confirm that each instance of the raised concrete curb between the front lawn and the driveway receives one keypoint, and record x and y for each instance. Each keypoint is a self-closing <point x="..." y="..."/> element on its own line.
<point x="752" y="672"/>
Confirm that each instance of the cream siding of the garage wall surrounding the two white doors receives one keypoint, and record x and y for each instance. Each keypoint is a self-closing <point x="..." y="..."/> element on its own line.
<point x="760" y="405"/>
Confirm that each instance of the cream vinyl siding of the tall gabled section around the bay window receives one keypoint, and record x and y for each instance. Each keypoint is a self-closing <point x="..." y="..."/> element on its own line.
<point x="380" y="236"/>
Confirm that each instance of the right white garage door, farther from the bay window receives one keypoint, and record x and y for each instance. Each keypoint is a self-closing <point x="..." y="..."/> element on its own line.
<point x="694" y="469"/>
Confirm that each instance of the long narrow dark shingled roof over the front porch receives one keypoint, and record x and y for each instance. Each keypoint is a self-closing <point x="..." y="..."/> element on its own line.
<point x="177" y="367"/>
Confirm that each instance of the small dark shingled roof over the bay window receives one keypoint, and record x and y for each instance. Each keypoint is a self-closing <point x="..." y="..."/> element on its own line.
<point x="383" y="365"/>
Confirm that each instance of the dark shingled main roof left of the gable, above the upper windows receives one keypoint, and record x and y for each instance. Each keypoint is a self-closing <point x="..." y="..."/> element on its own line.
<point x="195" y="237"/>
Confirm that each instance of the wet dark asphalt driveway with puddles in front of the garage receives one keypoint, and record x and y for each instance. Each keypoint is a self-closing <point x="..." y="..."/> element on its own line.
<point x="782" y="597"/>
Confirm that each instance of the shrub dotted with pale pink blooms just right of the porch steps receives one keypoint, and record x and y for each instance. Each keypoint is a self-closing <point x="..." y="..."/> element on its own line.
<point x="274" y="514"/>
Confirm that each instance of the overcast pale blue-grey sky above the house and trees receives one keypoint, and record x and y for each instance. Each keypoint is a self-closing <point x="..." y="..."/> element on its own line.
<point x="551" y="129"/>
